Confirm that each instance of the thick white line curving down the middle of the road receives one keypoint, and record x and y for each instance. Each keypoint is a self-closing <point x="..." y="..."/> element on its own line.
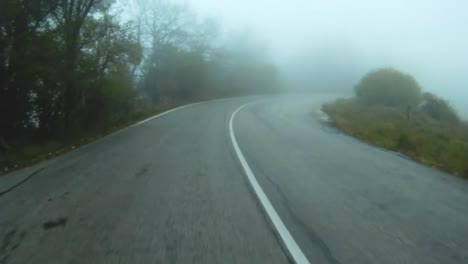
<point x="291" y="245"/>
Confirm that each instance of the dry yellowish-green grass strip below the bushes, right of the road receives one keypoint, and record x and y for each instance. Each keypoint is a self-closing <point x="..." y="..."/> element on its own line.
<point x="440" y="145"/>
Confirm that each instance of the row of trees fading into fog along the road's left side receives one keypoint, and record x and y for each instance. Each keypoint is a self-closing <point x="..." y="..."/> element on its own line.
<point x="72" y="65"/>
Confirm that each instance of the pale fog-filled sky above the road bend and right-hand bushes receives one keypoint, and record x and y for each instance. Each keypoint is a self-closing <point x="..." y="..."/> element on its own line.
<point x="328" y="45"/>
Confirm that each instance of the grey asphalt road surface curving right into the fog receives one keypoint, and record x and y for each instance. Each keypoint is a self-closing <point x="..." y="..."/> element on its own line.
<point x="172" y="190"/>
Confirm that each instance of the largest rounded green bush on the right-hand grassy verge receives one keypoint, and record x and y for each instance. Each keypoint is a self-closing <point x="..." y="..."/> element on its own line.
<point x="388" y="87"/>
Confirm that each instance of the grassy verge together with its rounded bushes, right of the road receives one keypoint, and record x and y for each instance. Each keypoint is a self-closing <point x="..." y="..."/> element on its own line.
<point x="391" y="110"/>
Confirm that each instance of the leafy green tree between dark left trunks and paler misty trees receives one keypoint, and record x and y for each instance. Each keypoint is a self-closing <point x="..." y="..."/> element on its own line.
<point x="107" y="64"/>
